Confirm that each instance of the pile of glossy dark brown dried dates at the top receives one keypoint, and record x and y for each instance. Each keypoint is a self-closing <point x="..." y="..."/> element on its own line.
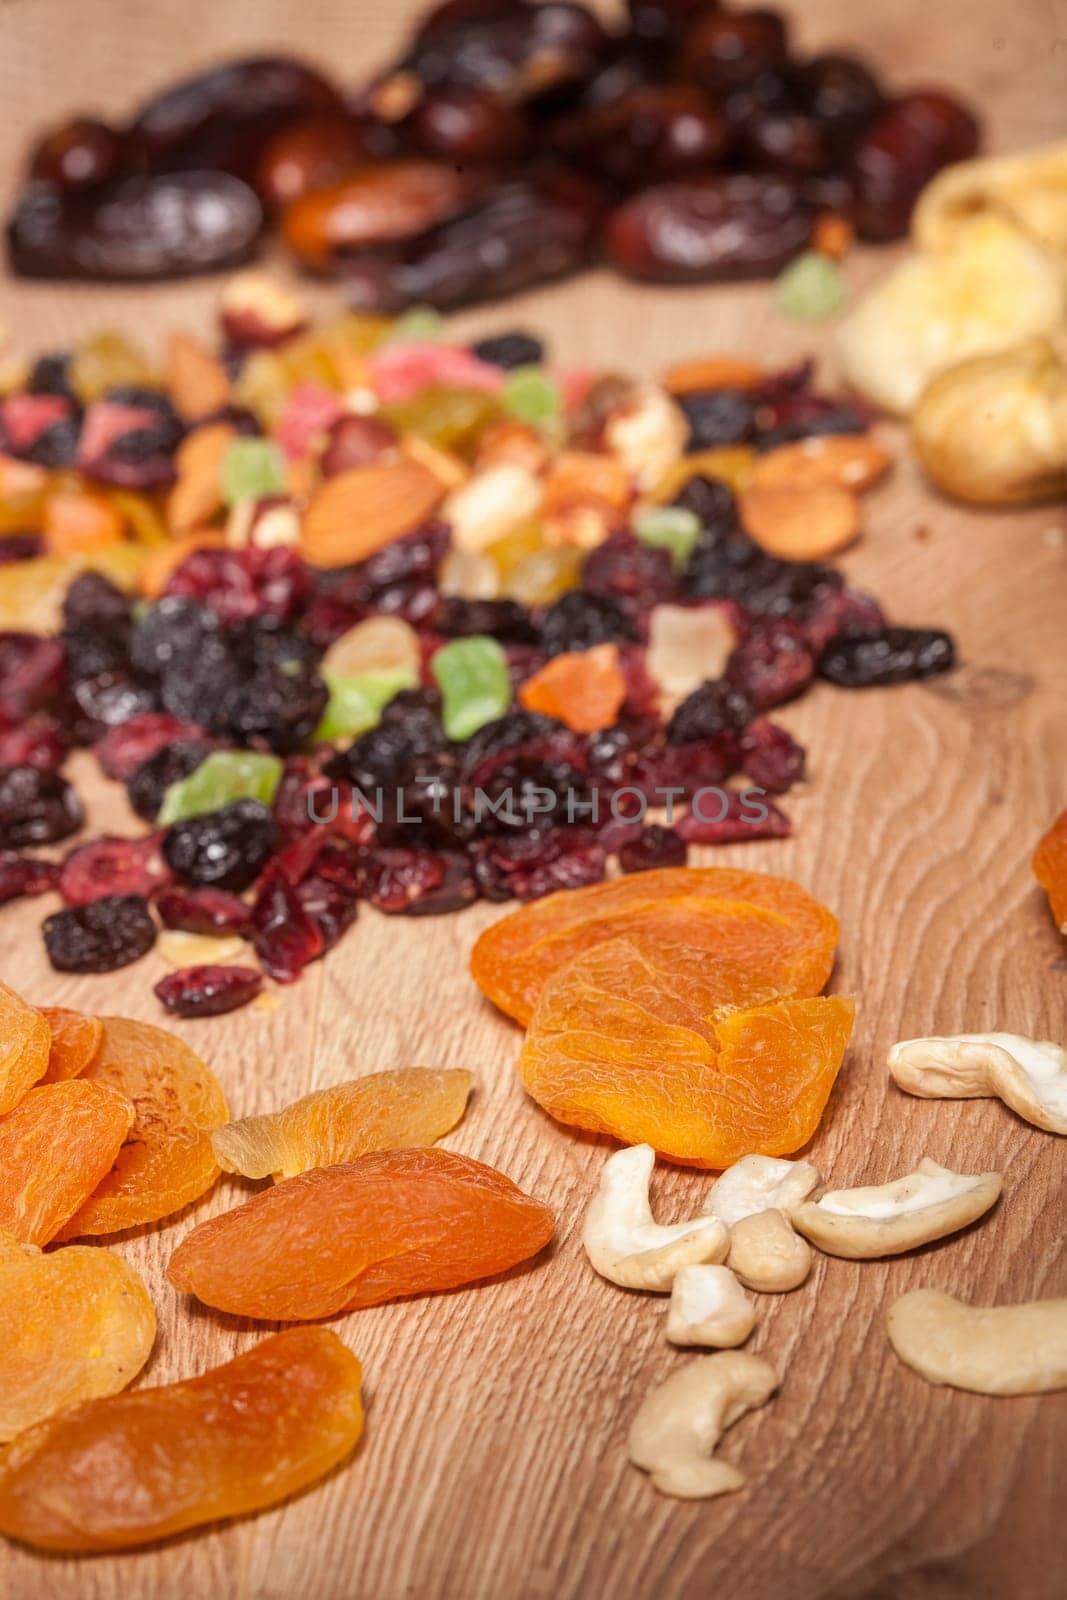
<point x="510" y="145"/>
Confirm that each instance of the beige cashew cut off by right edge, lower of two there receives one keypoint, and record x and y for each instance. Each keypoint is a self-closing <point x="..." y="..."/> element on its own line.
<point x="991" y="1350"/>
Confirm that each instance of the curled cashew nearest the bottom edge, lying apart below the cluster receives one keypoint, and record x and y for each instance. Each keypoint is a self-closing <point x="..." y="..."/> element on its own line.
<point x="681" y="1423"/>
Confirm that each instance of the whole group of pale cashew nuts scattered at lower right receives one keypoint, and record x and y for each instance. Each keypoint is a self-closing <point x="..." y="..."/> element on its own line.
<point x="756" y="1233"/>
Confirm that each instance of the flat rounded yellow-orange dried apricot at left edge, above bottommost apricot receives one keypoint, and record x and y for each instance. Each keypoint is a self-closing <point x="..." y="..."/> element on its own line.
<point x="74" y="1326"/>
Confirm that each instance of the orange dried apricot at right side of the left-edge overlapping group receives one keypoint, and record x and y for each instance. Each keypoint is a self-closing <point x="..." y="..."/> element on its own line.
<point x="167" y="1159"/>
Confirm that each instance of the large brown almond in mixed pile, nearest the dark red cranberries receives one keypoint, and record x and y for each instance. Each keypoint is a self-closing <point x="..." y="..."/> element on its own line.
<point x="366" y="508"/>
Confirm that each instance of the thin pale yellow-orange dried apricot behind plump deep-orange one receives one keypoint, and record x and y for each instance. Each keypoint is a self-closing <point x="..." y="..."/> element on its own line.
<point x="385" y="1111"/>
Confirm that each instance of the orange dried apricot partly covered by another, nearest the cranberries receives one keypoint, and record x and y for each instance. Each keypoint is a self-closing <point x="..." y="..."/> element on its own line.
<point x="754" y="919"/>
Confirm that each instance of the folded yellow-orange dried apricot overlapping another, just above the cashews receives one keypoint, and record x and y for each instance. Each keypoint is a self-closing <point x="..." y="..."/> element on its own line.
<point x="658" y="1046"/>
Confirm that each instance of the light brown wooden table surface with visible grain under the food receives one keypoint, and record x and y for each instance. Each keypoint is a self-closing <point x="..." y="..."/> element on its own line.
<point x="495" y="1455"/>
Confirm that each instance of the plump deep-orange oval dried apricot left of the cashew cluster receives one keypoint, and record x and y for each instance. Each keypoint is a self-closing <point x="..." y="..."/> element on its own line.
<point x="340" y="1238"/>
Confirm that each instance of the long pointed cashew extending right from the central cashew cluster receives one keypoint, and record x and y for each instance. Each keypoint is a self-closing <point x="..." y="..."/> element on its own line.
<point x="884" y="1220"/>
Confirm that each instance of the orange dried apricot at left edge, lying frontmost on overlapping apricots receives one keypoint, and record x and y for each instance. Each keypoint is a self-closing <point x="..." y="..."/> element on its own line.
<point x="55" y="1148"/>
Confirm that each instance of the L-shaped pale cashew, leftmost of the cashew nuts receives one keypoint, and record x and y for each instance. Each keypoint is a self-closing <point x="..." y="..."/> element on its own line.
<point x="625" y="1242"/>
